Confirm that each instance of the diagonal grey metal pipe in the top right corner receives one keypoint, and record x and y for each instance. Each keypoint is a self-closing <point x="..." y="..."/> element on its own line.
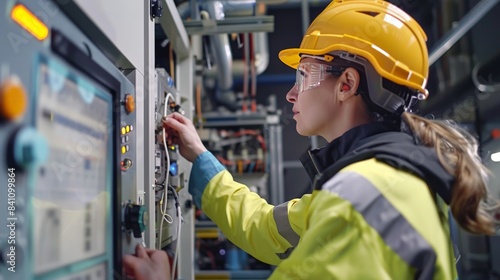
<point x="465" y="24"/>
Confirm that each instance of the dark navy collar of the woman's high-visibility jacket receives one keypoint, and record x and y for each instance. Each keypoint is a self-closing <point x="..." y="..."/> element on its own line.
<point x="385" y="143"/>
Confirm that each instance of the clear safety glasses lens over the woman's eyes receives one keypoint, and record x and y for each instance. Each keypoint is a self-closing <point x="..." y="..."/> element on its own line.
<point x="310" y="74"/>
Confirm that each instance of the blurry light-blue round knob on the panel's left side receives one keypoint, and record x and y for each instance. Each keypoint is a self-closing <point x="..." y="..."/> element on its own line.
<point x="28" y="148"/>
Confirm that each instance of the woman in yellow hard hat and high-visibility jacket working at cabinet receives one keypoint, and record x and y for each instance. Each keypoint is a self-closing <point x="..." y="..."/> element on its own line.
<point x="383" y="183"/>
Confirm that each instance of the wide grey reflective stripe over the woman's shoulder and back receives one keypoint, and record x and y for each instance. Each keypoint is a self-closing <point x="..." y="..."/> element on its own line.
<point x="392" y="226"/>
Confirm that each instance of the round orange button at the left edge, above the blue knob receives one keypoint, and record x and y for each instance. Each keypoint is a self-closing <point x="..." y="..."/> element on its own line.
<point x="13" y="99"/>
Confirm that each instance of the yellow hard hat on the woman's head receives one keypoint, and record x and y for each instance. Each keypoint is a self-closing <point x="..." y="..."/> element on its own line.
<point x="391" y="40"/>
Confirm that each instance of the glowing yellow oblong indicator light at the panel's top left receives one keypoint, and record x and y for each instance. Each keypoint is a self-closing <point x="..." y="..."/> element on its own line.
<point x="29" y="21"/>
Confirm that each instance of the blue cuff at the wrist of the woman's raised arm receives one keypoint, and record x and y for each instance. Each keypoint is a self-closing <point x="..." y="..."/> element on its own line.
<point x="205" y="167"/>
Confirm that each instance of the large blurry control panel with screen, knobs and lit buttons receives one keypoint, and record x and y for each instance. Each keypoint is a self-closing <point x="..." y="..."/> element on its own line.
<point x="69" y="202"/>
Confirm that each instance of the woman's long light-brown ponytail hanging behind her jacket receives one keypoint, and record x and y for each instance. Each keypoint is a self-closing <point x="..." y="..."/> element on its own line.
<point x="457" y="152"/>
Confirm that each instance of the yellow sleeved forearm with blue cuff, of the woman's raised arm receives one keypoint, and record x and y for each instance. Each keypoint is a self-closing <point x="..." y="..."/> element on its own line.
<point x="245" y="218"/>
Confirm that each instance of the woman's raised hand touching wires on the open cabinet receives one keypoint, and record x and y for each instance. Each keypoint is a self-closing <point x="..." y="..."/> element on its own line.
<point x="181" y="131"/>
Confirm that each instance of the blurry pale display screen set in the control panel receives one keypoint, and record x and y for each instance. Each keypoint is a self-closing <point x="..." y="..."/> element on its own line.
<point x="71" y="201"/>
